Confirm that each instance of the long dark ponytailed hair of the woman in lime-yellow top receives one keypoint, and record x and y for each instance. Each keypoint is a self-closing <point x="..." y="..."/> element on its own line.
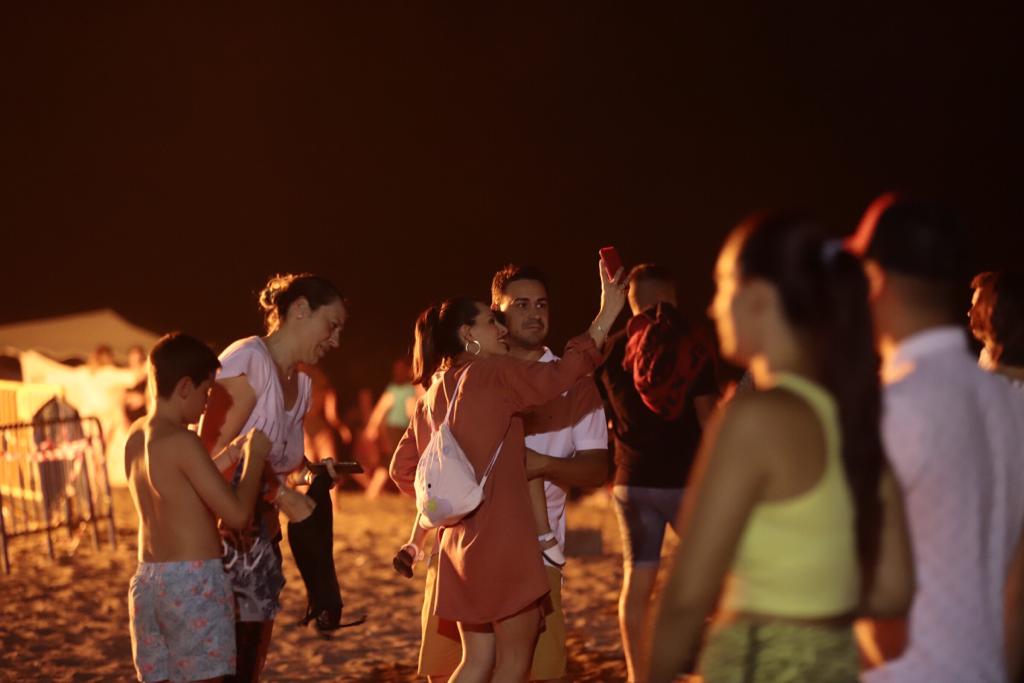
<point x="825" y="297"/>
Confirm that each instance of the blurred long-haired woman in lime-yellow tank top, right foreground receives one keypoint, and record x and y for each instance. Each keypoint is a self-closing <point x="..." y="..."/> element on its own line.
<point x="791" y="509"/>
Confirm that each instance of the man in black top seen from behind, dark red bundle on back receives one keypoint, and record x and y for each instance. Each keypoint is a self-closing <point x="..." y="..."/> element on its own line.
<point x="660" y="387"/>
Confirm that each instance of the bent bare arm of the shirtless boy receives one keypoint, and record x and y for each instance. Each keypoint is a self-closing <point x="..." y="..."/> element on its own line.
<point x="233" y="506"/>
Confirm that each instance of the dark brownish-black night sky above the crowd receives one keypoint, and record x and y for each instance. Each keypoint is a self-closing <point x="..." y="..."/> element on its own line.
<point x="164" y="158"/>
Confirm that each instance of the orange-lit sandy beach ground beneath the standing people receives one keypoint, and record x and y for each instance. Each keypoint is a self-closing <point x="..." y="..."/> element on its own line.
<point x="68" y="620"/>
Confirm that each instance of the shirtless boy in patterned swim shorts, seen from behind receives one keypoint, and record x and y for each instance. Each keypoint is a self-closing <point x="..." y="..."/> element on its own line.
<point x="181" y="603"/>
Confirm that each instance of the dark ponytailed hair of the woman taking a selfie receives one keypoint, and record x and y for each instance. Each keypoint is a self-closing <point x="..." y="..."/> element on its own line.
<point x="437" y="335"/>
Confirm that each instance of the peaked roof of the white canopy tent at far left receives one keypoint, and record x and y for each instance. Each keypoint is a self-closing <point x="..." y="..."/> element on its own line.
<point x="76" y="336"/>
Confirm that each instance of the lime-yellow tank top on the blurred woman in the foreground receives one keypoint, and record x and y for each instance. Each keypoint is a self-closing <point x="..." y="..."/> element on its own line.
<point x="798" y="558"/>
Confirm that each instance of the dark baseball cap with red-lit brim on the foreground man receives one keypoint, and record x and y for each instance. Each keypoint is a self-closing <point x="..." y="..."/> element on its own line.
<point x="913" y="238"/>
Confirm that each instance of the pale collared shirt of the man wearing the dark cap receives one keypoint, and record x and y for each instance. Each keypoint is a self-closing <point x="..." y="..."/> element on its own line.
<point x="956" y="439"/>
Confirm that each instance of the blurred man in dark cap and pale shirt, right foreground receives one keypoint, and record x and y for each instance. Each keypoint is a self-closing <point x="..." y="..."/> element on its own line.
<point x="955" y="436"/>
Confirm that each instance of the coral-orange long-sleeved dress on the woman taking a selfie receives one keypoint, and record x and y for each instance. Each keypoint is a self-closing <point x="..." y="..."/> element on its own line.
<point x="490" y="568"/>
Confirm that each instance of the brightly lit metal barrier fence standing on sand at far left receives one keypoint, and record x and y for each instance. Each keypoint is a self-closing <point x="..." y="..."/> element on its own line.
<point x="54" y="477"/>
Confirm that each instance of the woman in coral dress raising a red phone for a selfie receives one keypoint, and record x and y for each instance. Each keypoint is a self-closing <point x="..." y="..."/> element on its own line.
<point x="491" y="578"/>
